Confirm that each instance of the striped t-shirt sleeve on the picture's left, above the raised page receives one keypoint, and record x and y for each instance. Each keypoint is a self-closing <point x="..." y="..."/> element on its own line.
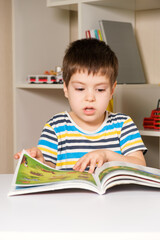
<point x="48" y="143"/>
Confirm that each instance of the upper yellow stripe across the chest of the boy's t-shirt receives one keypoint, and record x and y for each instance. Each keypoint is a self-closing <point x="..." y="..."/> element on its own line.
<point x="88" y="137"/>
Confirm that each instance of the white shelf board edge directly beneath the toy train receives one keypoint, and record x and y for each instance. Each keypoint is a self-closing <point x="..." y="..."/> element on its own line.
<point x="39" y="86"/>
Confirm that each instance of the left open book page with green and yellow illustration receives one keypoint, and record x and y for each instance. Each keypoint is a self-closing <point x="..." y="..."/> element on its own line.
<point x="31" y="172"/>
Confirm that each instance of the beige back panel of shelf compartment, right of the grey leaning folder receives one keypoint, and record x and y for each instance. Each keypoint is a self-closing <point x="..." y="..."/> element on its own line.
<point x="148" y="36"/>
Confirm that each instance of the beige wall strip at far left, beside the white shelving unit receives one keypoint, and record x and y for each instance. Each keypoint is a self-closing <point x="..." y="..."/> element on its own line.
<point x="6" y="118"/>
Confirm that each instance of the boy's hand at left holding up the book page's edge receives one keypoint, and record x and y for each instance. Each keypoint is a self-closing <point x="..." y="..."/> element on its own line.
<point x="33" y="152"/>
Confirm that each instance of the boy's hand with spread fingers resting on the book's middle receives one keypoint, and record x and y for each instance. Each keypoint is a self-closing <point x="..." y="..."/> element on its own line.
<point x="97" y="157"/>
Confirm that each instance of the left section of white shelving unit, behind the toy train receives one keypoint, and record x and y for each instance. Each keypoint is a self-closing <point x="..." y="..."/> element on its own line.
<point x="38" y="45"/>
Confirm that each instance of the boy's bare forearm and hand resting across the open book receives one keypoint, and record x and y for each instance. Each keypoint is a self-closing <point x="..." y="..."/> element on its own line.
<point x="99" y="157"/>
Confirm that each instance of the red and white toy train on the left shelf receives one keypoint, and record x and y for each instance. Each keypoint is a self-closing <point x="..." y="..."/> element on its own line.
<point x="48" y="77"/>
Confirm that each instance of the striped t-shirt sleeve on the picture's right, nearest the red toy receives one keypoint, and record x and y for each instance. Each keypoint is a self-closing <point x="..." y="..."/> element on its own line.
<point x="130" y="138"/>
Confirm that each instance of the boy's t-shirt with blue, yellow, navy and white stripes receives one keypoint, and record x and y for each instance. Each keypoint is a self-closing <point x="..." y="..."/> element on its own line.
<point x="63" y="142"/>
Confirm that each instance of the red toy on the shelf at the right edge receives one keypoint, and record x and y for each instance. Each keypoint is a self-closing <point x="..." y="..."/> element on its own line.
<point x="153" y="122"/>
